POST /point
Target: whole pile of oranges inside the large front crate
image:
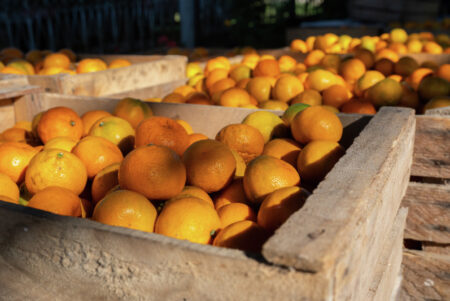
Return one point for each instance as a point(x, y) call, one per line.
point(154, 174)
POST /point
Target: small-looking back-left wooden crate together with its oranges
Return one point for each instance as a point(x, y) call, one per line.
point(92, 75)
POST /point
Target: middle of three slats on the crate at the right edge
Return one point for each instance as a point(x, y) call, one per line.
point(429, 212)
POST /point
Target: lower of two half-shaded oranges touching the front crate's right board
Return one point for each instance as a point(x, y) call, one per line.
point(279, 205)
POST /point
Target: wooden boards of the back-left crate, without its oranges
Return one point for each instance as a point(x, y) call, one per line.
point(146, 71)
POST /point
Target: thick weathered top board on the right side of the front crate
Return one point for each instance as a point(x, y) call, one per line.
point(345, 221)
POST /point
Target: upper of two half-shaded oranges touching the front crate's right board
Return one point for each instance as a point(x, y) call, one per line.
point(317, 158)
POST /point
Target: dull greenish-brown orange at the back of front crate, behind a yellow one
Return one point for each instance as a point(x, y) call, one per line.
point(132, 110)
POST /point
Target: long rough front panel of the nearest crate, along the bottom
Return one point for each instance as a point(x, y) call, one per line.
point(92, 261)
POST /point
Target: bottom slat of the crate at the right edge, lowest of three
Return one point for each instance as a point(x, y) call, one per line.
point(425, 276)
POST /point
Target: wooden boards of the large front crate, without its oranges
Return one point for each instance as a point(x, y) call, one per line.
point(343, 244)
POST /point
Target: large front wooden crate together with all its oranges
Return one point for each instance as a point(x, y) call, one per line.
point(120, 198)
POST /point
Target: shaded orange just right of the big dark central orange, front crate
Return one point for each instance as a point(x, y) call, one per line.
point(210, 165)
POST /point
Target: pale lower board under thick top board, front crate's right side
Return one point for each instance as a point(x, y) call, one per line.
point(387, 277)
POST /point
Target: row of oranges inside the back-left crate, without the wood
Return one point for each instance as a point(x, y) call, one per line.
point(13, 61)
